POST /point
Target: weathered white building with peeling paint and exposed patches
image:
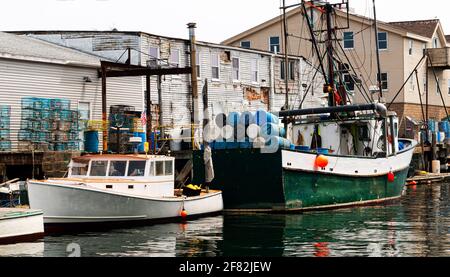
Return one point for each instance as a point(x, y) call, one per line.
point(238, 79)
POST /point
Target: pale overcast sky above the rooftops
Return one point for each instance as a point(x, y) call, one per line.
point(216, 19)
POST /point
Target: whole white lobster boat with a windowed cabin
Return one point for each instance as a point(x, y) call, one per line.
point(118, 188)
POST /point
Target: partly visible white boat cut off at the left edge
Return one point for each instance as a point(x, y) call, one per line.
point(20, 225)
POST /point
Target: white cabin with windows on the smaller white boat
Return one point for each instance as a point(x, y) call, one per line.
point(138, 175)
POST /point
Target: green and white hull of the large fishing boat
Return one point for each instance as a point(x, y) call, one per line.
point(288, 181)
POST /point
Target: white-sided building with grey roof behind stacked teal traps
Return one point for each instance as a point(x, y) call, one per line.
point(34, 68)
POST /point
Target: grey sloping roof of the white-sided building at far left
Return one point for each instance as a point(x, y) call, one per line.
point(32, 49)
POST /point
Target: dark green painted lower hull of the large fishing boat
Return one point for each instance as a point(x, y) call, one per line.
point(253, 180)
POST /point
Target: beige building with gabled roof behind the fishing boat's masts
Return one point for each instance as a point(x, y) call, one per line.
point(401, 44)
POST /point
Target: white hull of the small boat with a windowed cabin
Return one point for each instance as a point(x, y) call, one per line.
point(68, 204)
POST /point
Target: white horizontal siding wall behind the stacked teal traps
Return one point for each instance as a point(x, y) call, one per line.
point(20, 79)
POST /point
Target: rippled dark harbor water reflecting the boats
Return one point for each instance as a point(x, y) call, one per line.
point(416, 226)
